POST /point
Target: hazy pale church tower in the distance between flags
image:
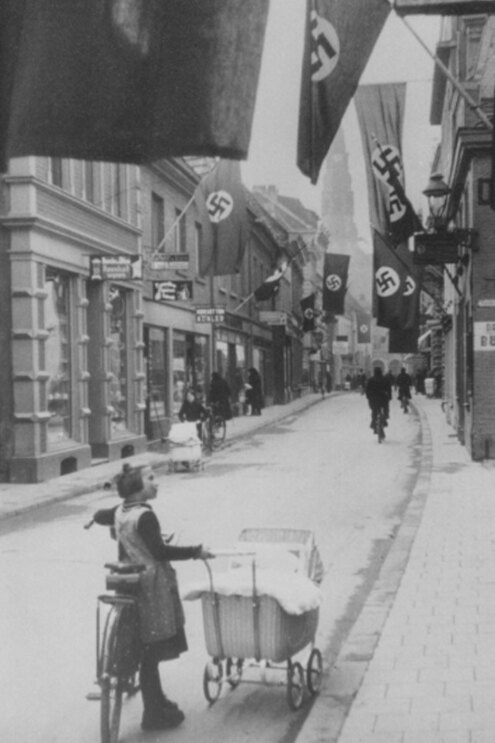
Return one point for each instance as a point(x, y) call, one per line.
point(337, 210)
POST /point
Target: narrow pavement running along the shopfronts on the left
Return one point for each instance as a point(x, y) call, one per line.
point(19, 498)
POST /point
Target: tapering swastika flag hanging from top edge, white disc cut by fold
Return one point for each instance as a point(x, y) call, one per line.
point(340, 36)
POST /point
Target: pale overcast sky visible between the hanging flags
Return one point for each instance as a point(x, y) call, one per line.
point(397, 57)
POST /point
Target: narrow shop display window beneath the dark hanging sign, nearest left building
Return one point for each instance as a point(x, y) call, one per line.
point(118, 359)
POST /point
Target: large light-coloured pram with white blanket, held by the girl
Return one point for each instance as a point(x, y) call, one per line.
point(248, 622)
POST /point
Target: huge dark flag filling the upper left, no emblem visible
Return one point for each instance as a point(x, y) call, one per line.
point(128, 80)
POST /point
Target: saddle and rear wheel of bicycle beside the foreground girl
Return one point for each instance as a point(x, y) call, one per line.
point(118, 648)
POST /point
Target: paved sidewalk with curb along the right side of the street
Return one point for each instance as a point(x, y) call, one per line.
point(419, 664)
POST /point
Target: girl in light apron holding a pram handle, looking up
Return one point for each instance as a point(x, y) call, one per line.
point(161, 617)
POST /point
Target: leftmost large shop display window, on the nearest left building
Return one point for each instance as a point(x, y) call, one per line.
point(58, 357)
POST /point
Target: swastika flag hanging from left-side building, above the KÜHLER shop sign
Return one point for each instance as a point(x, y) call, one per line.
point(221, 202)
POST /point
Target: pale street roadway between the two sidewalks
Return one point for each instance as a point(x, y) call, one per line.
point(321, 470)
